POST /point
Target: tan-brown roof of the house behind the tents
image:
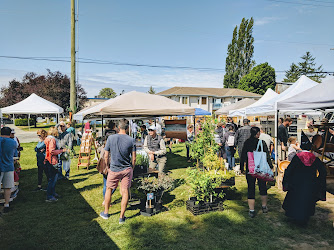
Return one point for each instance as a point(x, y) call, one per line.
point(215, 92)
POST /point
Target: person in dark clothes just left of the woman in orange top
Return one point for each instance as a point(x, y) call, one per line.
point(40, 155)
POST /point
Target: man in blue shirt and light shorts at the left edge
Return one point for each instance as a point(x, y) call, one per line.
point(8, 152)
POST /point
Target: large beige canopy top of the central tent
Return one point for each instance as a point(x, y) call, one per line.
point(138, 104)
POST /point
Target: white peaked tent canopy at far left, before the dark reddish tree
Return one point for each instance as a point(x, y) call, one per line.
point(33, 104)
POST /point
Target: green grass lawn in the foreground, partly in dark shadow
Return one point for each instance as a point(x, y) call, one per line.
point(73, 221)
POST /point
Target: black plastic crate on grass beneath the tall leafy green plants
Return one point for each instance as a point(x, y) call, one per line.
point(198, 208)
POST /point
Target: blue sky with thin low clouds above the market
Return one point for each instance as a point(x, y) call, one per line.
point(188, 33)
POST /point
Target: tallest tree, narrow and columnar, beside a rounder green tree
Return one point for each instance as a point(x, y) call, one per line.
point(239, 54)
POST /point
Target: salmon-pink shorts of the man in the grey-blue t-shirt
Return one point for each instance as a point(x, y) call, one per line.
point(114, 177)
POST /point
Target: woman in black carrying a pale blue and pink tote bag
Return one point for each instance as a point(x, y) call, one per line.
point(250, 145)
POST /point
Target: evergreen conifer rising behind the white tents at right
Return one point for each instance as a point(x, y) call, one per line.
point(306, 67)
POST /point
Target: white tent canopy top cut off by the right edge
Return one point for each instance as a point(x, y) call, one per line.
point(319, 97)
